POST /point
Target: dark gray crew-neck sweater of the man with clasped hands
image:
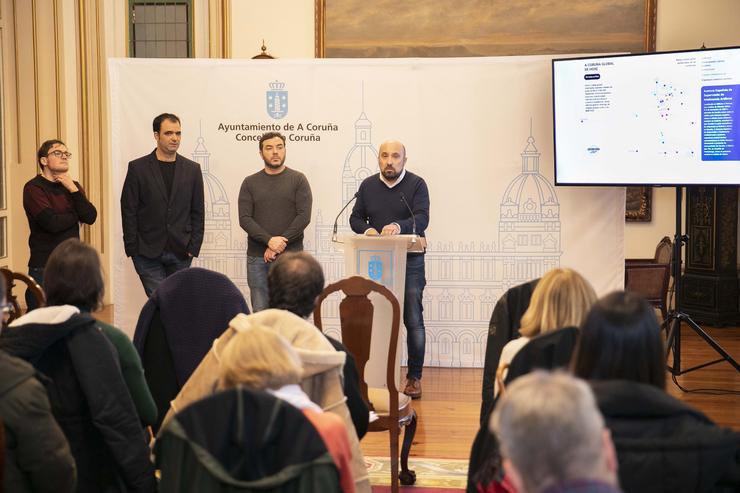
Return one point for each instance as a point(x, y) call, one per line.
point(274, 205)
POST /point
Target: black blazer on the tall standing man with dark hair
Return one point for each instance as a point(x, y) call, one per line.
point(153, 221)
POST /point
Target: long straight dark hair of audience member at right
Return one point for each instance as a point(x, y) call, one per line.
point(620, 339)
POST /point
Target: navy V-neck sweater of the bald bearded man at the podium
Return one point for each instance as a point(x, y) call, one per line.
point(378, 205)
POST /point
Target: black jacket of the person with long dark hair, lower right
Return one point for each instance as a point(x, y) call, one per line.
point(663, 445)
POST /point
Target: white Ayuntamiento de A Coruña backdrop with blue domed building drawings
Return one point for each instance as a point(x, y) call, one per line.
point(479, 130)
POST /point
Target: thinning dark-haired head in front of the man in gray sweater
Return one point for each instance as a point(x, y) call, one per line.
point(294, 282)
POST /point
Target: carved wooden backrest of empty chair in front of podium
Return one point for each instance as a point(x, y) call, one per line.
point(356, 320)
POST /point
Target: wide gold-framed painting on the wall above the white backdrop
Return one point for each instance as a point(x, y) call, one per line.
point(440, 28)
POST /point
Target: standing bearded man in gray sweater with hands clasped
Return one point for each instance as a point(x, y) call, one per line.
point(274, 209)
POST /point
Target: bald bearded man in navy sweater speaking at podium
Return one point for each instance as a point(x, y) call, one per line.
point(396, 201)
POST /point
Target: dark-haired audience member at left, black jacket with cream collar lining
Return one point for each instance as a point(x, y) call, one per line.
point(88, 395)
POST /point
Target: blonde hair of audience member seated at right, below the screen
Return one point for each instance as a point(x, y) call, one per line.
point(561, 299)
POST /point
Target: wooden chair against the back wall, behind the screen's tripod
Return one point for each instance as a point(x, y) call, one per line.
point(651, 277)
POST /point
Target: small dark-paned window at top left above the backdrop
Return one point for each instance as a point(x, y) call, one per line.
point(160, 28)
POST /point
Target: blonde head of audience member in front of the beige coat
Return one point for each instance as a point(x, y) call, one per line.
point(259, 359)
